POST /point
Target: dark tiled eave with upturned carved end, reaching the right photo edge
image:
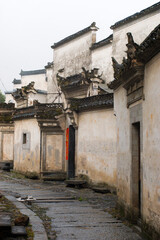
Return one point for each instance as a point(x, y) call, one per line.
point(137, 57)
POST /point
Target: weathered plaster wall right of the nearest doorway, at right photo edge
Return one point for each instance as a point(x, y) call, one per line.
point(151, 143)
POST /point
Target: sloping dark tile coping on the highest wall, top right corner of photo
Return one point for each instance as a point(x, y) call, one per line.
point(137, 15)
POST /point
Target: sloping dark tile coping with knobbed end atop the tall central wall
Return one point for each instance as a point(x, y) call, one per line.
point(75, 35)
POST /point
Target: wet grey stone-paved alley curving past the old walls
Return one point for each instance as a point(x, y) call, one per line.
point(74, 214)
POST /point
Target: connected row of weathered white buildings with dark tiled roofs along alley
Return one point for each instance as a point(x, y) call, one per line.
point(100, 122)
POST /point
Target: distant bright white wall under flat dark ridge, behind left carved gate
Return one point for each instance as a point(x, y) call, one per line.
point(39, 79)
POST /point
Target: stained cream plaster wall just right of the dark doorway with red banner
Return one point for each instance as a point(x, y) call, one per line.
point(96, 146)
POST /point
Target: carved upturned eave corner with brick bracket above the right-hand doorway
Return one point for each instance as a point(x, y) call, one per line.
point(130, 73)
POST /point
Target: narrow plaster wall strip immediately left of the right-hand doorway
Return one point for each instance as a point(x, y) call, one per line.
point(123, 144)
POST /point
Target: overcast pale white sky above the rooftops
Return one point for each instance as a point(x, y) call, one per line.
point(29, 27)
